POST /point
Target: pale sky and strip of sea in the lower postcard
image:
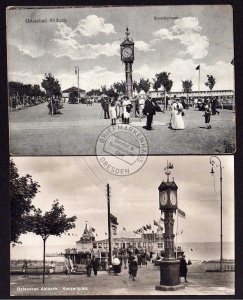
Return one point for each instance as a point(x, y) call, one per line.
point(79, 183)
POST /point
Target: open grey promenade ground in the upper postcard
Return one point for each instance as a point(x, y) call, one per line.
point(76, 130)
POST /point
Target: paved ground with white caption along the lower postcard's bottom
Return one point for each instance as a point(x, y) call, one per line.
point(106, 284)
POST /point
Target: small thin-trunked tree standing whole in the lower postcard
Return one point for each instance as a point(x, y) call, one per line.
point(53, 222)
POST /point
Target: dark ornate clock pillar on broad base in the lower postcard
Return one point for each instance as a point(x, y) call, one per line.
point(169, 266)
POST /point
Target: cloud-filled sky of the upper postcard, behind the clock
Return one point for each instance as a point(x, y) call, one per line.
point(174, 39)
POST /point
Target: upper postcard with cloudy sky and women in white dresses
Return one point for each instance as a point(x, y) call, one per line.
point(121, 81)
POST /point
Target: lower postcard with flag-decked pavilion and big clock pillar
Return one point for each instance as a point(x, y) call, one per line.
point(78, 229)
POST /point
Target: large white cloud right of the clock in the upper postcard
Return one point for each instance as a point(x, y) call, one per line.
point(186, 31)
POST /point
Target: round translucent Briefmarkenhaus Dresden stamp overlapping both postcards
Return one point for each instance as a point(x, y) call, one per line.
point(121, 149)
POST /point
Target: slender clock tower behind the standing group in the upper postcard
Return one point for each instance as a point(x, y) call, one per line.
point(127, 56)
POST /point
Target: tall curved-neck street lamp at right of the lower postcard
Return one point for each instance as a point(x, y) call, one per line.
point(212, 162)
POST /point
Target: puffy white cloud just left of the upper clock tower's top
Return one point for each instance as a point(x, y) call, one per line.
point(92, 25)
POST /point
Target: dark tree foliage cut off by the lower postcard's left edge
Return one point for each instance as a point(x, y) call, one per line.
point(22, 191)
